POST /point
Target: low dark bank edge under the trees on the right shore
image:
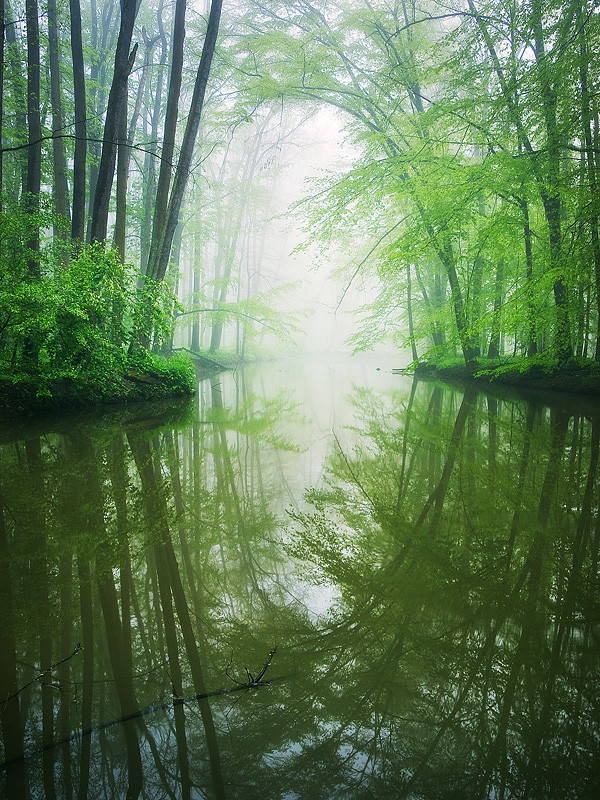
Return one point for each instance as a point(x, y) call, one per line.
point(579, 377)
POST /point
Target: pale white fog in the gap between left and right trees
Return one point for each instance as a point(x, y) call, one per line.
point(313, 286)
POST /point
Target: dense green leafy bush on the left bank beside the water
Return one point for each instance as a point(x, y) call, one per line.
point(78, 319)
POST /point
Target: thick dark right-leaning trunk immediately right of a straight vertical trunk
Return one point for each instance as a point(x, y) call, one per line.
point(117, 103)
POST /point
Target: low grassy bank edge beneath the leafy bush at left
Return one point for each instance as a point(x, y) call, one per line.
point(30, 394)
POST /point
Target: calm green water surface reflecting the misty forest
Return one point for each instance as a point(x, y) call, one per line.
point(311, 581)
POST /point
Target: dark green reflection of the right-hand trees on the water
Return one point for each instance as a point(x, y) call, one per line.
point(459, 637)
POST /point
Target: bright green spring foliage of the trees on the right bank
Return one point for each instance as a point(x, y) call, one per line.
point(465, 133)
